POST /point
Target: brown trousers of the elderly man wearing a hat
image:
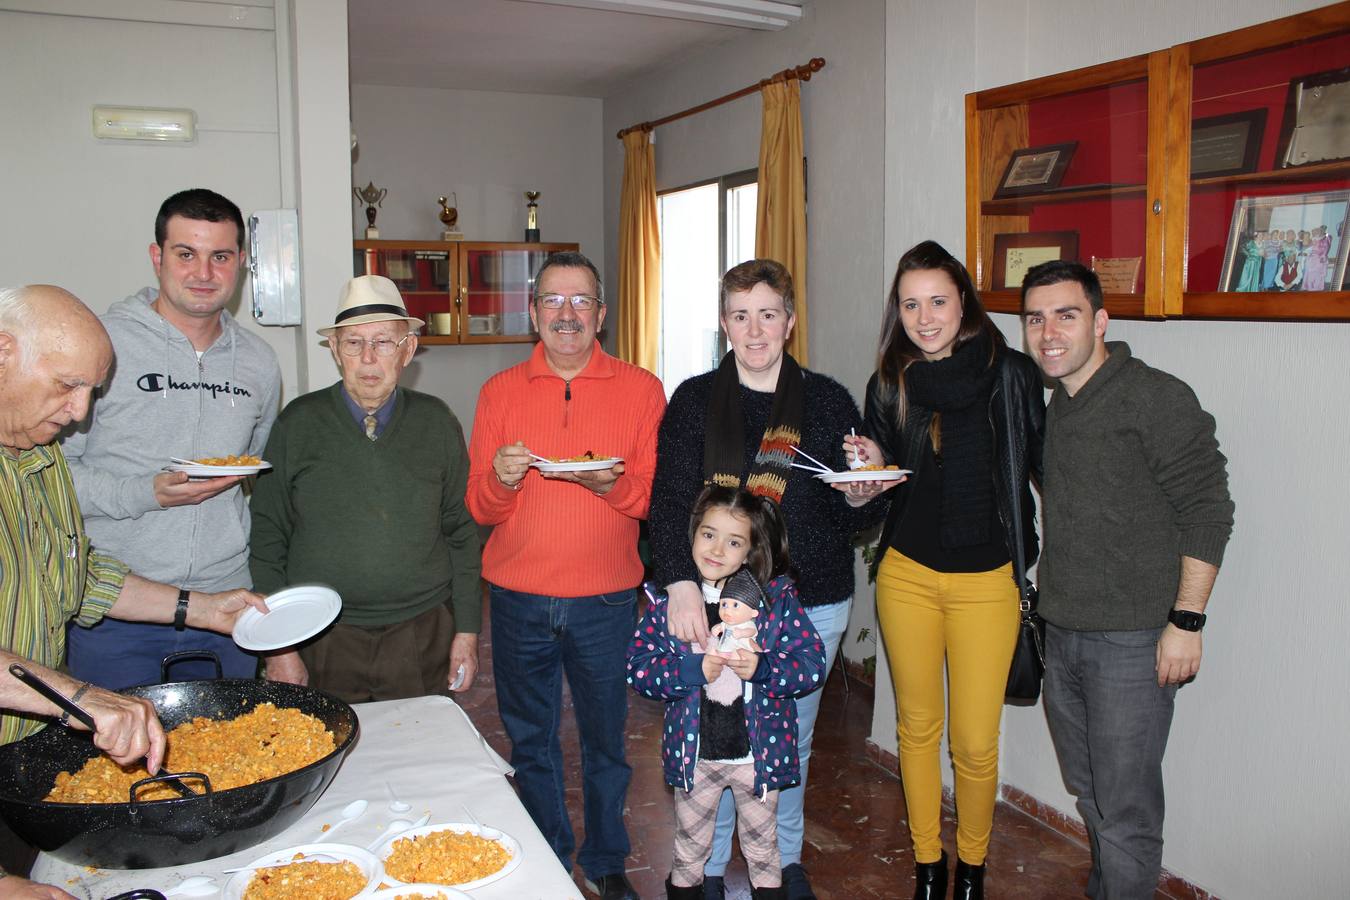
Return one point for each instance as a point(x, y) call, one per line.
point(387, 663)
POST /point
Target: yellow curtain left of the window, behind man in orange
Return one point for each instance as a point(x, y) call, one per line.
point(639, 256)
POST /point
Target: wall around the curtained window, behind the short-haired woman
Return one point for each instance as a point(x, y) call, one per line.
point(842, 118)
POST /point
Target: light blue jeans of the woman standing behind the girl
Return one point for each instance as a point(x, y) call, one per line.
point(831, 623)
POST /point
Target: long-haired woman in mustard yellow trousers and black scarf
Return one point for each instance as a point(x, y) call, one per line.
point(946, 590)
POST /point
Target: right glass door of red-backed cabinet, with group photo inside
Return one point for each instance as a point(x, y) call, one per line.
point(1268, 200)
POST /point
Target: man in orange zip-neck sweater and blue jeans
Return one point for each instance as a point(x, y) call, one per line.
point(562, 559)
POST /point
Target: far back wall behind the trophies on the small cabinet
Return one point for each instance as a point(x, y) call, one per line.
point(487, 148)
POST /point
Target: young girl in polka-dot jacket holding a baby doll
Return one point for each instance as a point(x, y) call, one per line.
point(731, 720)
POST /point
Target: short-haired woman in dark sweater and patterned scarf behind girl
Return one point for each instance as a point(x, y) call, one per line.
point(738, 427)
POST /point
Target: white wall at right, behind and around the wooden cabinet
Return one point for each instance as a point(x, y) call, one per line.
point(1256, 805)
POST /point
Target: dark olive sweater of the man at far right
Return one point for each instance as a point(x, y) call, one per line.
point(1133, 482)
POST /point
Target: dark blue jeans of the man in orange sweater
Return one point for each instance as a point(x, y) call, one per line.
point(537, 642)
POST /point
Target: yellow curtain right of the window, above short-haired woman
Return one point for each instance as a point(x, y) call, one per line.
point(781, 219)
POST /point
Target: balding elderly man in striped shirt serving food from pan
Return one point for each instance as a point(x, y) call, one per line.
point(53, 354)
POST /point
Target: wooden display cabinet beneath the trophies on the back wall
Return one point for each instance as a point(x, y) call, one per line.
point(466, 292)
